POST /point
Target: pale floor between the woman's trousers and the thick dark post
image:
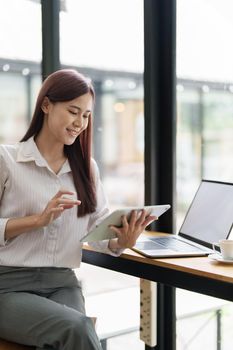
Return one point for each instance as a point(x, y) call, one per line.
point(114, 299)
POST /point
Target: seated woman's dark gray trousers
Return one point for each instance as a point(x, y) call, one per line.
point(44, 307)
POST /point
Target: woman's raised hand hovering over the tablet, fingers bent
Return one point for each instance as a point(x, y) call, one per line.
point(56, 206)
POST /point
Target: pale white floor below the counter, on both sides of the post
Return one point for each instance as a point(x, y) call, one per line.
point(114, 299)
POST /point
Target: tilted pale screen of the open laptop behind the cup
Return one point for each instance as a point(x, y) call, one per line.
point(210, 216)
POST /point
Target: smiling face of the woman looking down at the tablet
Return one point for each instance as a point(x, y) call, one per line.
point(65, 121)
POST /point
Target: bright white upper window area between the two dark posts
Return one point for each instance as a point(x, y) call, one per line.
point(103, 34)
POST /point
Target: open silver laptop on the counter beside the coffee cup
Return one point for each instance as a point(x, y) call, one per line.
point(208, 219)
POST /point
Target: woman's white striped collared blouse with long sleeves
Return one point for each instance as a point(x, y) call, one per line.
point(26, 185)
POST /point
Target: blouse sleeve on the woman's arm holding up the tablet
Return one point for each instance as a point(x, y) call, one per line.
point(101, 212)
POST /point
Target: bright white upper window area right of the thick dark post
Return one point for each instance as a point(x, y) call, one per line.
point(204, 30)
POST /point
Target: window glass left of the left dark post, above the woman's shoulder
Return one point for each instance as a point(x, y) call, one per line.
point(20, 54)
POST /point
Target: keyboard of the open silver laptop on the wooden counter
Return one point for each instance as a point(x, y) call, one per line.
point(174, 244)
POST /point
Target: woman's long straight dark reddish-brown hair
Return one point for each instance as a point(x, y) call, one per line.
point(66, 85)
